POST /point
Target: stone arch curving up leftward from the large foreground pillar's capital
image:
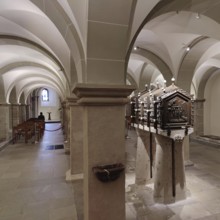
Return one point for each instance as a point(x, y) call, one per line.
point(71, 33)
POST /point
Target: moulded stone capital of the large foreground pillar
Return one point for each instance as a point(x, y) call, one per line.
point(96, 94)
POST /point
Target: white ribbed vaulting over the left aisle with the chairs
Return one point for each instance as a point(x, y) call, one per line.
point(31, 41)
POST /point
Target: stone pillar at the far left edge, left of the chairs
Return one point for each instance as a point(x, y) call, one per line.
point(5, 122)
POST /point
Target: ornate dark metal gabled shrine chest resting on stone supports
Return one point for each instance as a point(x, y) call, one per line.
point(164, 108)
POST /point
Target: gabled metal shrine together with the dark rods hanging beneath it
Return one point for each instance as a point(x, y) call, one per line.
point(167, 112)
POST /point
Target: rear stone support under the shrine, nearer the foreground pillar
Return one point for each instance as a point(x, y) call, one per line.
point(143, 170)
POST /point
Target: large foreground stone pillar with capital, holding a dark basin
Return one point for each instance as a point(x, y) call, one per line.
point(103, 110)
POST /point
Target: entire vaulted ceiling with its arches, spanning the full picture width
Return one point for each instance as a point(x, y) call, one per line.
point(47, 43)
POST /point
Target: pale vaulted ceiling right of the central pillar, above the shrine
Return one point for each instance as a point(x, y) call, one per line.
point(169, 31)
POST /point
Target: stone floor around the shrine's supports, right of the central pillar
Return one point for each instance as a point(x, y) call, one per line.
point(202, 181)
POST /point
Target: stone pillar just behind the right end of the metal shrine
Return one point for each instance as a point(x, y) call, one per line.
point(198, 112)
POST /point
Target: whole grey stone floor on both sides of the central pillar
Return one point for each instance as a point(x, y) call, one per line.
point(33, 186)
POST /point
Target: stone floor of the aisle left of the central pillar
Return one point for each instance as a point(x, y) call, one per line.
point(32, 180)
